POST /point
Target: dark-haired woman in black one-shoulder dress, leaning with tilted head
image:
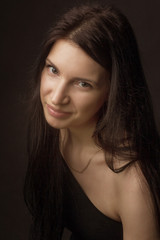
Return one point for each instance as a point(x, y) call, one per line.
point(93, 144)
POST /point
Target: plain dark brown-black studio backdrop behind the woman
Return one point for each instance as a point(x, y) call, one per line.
point(24, 24)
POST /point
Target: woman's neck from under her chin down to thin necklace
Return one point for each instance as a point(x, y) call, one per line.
point(78, 147)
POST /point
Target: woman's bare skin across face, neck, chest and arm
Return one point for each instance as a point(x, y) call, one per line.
point(73, 89)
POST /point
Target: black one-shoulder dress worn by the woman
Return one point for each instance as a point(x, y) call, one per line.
point(82, 218)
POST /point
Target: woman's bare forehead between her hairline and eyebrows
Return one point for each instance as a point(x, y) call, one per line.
point(68, 56)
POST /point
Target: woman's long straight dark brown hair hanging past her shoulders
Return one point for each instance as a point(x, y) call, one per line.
point(126, 123)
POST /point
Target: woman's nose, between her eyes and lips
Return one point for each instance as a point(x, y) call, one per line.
point(60, 95)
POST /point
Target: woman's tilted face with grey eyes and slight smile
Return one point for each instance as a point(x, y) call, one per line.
point(73, 87)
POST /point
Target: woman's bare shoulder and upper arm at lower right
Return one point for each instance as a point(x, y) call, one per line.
point(135, 206)
